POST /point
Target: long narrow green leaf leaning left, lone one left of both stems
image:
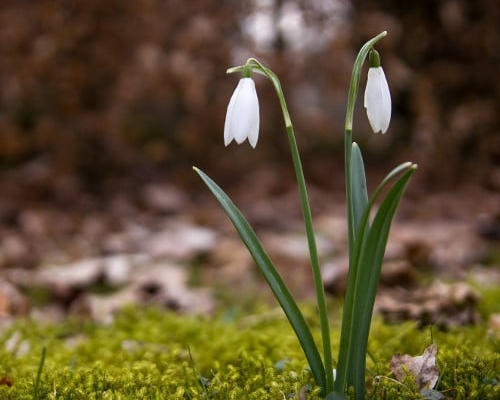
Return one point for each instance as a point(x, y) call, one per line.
point(273, 279)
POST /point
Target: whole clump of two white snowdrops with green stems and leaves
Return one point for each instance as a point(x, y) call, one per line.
point(367, 230)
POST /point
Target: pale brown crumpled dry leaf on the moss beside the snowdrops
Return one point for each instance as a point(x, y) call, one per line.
point(422, 368)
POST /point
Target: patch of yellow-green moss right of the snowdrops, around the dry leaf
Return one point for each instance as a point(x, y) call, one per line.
point(468, 359)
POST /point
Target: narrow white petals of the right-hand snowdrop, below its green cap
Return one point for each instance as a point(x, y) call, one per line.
point(378, 100)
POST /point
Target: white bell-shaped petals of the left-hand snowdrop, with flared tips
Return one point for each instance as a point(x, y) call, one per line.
point(242, 117)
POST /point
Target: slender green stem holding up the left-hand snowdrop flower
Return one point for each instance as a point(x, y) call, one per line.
point(307, 216)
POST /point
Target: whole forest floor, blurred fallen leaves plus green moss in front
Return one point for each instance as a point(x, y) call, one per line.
point(68, 255)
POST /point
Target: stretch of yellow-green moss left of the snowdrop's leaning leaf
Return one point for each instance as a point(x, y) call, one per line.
point(149, 354)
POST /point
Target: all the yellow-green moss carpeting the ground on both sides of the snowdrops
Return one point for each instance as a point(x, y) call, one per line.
point(152, 354)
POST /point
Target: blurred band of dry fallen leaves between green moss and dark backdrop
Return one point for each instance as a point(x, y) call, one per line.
point(65, 251)
